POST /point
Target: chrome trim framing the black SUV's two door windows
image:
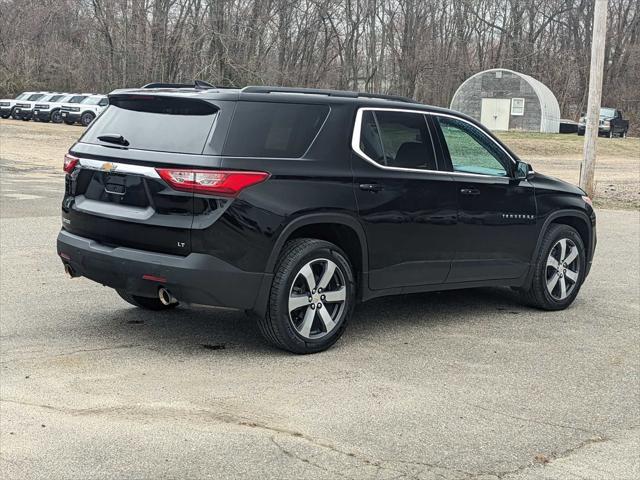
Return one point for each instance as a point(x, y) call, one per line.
point(355, 142)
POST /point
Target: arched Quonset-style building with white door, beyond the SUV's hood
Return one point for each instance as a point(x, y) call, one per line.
point(502, 99)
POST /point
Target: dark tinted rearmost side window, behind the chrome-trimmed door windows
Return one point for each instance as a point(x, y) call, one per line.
point(282, 130)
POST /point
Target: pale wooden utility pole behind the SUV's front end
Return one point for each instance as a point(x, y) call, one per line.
point(587, 169)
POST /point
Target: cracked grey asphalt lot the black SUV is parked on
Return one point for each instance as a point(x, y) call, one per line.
point(454, 385)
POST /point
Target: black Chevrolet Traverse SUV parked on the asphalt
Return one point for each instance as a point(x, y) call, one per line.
point(296, 204)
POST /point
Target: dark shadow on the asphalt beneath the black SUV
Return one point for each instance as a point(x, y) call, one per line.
point(207, 330)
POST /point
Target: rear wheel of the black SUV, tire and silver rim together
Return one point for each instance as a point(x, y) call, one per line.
point(312, 297)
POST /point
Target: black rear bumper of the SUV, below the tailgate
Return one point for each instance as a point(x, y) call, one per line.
point(196, 278)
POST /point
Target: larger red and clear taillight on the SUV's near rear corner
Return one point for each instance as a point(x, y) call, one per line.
point(211, 182)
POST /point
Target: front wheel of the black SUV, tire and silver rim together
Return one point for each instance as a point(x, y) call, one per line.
point(559, 269)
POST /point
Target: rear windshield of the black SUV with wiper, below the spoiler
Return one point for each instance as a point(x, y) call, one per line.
point(156, 123)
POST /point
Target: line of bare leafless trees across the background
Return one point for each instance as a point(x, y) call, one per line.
point(418, 48)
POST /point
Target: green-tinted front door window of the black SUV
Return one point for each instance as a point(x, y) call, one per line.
point(469, 150)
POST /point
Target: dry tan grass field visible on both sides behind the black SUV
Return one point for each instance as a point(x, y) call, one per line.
point(41, 146)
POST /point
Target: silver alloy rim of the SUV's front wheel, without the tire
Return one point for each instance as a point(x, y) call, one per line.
point(563, 269)
